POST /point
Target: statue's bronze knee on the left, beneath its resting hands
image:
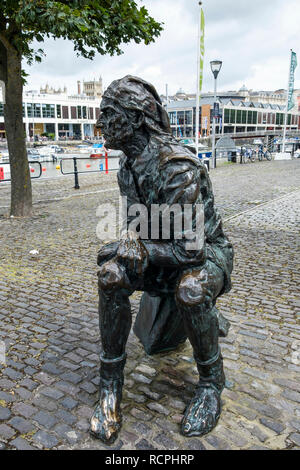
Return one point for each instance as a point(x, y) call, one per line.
point(112, 276)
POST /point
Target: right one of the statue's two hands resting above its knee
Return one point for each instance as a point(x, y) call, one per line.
point(132, 254)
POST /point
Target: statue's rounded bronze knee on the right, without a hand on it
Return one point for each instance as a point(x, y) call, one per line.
point(191, 292)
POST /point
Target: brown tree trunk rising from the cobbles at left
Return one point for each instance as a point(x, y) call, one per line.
point(21, 195)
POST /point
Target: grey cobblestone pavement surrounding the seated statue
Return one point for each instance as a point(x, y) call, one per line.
point(48, 320)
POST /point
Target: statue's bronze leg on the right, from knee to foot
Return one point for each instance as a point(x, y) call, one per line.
point(195, 296)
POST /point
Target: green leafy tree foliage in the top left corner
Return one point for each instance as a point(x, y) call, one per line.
point(93, 25)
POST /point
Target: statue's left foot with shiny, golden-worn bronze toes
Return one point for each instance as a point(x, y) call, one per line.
point(107, 419)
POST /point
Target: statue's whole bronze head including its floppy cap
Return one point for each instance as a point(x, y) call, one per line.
point(127, 105)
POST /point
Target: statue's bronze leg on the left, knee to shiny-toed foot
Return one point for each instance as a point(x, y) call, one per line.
point(115, 323)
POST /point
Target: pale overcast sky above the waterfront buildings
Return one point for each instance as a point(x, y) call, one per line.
point(253, 38)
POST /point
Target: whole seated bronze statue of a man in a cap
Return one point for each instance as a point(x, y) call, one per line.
point(180, 285)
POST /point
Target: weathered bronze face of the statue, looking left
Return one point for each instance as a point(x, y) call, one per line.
point(114, 124)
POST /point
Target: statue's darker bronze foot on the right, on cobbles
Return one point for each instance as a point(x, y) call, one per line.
point(203, 412)
